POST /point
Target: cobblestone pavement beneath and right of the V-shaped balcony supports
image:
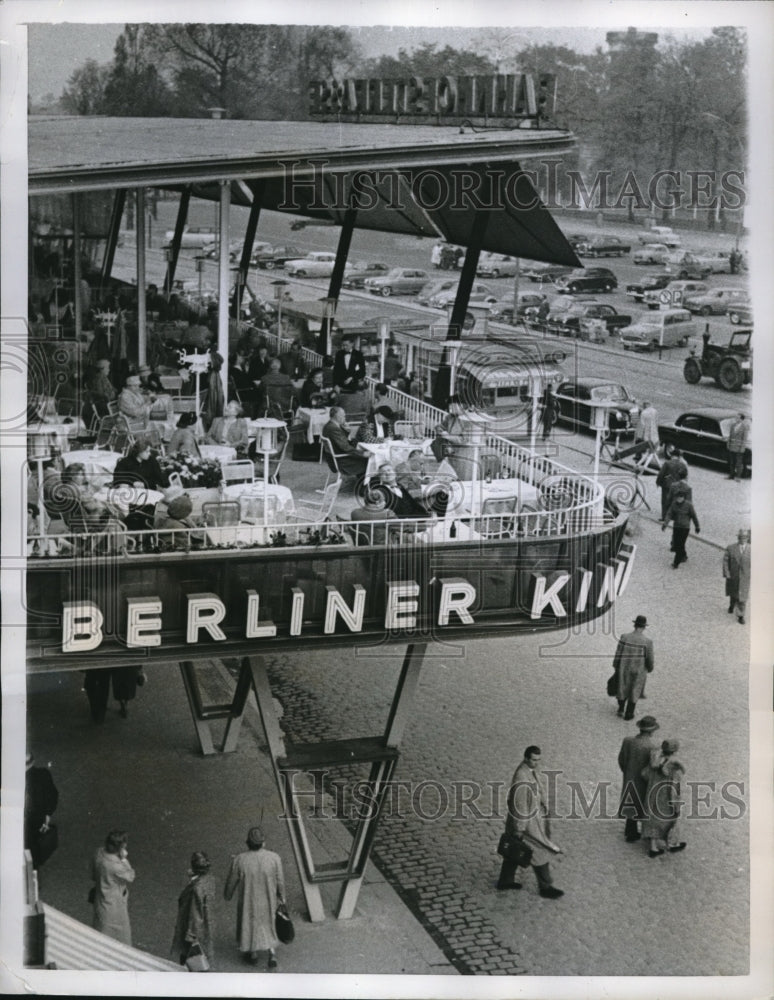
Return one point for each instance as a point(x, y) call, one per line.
point(474, 713)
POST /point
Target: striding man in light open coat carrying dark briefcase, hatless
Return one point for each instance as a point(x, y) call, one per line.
point(528, 820)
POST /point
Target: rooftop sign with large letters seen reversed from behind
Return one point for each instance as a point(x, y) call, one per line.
point(444, 98)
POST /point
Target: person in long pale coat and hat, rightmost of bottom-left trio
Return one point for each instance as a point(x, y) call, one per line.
point(257, 874)
